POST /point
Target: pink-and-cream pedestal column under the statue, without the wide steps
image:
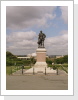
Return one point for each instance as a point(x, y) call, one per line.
point(41, 58)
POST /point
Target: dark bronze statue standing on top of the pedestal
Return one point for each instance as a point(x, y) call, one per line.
point(41, 38)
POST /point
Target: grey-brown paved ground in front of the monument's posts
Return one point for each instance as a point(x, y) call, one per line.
point(37, 82)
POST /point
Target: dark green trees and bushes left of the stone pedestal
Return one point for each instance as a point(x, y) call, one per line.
point(12, 60)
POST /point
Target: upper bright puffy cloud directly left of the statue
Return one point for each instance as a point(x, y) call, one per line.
point(21, 36)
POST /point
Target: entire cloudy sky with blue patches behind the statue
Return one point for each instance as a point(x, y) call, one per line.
point(23, 25)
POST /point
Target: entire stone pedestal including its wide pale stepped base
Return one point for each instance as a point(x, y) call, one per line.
point(40, 65)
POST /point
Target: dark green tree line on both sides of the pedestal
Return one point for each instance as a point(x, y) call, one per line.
point(11, 59)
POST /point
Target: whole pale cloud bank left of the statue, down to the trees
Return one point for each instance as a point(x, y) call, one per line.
point(21, 41)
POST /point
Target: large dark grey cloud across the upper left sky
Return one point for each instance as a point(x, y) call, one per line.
point(23, 17)
